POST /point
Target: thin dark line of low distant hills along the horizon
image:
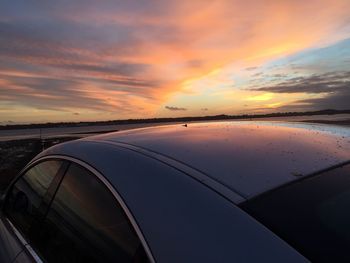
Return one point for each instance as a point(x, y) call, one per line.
point(178, 119)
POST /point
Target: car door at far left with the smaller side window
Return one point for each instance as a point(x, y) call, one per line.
point(24, 207)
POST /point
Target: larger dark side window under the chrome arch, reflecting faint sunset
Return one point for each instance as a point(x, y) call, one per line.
point(85, 223)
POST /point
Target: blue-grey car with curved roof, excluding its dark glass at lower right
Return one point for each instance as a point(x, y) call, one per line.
point(183, 193)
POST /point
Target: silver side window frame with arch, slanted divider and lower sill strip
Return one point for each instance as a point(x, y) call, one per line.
point(68, 160)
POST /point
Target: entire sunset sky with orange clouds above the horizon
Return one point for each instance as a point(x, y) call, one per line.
point(88, 60)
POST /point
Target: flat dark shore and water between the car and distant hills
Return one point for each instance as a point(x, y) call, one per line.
point(18, 147)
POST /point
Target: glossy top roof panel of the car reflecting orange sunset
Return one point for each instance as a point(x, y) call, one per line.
point(249, 157)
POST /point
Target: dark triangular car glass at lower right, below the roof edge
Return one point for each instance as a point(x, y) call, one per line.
point(312, 215)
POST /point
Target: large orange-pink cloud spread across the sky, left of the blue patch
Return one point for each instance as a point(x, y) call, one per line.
point(127, 58)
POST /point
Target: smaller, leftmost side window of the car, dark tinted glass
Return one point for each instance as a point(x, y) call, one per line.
point(24, 199)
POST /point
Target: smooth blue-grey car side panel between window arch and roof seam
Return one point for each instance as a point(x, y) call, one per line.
point(159, 195)
